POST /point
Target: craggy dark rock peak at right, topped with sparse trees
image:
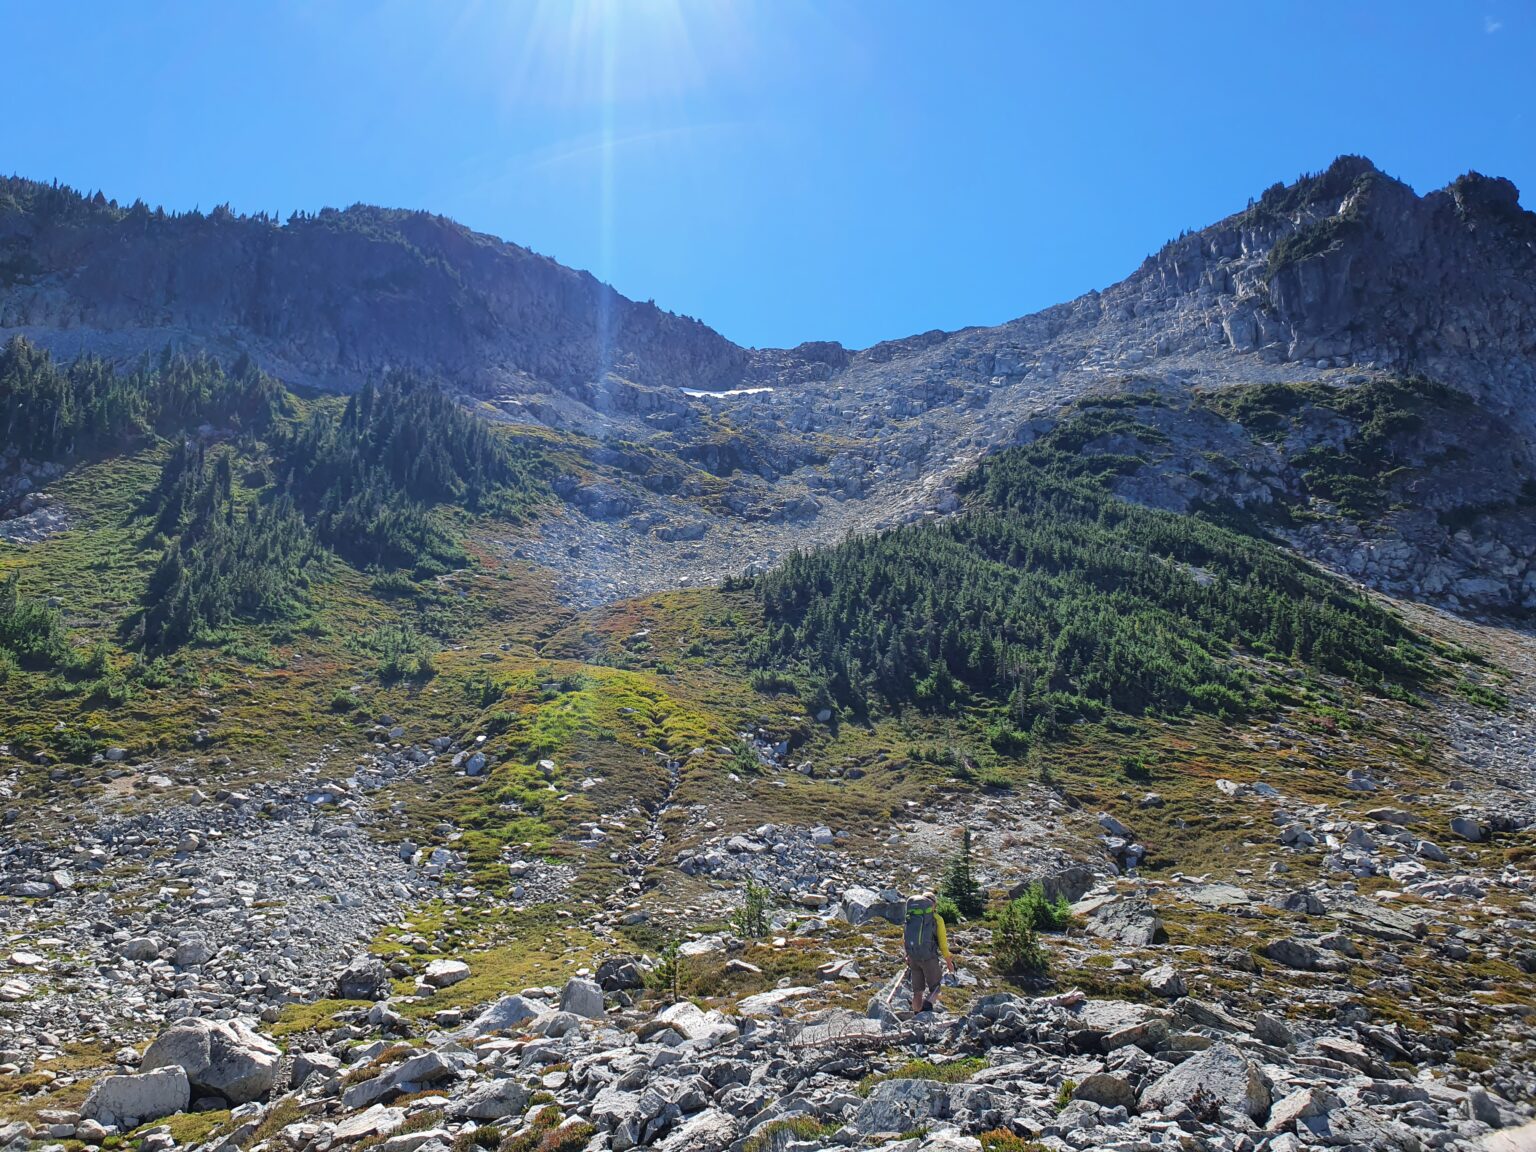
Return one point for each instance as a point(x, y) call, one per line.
point(1352, 268)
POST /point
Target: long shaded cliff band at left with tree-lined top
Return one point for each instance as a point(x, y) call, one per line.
point(333, 299)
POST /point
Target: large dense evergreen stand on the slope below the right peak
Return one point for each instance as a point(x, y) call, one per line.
point(1056, 598)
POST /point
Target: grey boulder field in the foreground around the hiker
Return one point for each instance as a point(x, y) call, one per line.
point(176, 936)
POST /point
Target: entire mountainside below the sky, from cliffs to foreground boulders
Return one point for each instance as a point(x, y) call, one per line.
point(299, 724)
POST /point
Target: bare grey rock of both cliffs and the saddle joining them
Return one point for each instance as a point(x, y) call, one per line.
point(1342, 279)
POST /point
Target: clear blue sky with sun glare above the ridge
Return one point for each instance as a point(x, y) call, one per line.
point(781, 170)
